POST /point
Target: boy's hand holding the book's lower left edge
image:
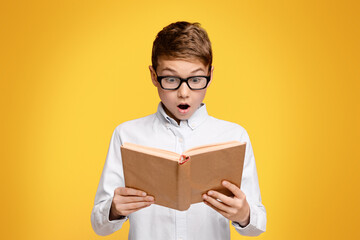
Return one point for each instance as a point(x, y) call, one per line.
point(128, 200)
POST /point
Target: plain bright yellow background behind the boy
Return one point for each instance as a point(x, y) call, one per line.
point(287, 71)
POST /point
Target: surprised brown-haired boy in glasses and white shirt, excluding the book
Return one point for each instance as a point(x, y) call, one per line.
point(181, 71)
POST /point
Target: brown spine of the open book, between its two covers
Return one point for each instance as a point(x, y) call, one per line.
point(184, 186)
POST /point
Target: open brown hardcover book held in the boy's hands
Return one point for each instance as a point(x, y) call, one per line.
point(177, 181)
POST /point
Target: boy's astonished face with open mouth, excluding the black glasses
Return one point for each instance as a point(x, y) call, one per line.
point(180, 104)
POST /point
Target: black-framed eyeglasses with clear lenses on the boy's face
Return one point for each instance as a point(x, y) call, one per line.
point(193, 82)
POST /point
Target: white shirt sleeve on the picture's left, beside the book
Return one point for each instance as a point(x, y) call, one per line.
point(111, 178)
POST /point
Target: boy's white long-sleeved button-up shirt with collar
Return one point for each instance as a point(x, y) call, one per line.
point(157, 222)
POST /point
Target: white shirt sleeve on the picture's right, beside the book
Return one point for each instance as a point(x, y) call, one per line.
point(251, 189)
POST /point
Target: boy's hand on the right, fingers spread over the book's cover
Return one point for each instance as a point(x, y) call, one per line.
point(235, 209)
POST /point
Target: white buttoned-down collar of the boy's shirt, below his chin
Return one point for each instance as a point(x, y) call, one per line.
point(194, 121)
